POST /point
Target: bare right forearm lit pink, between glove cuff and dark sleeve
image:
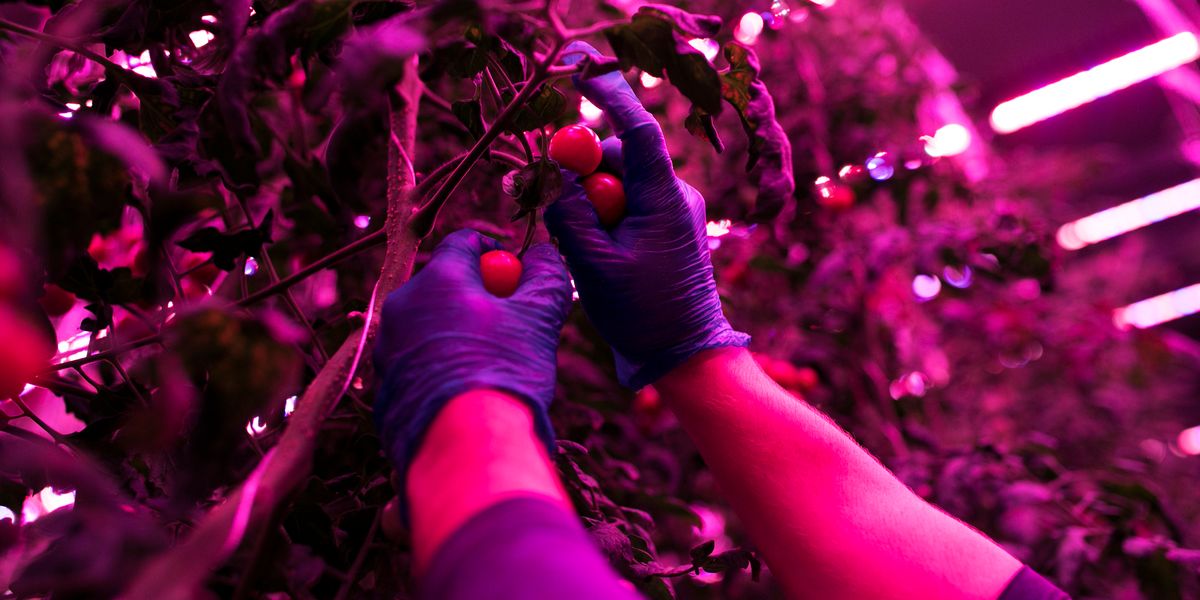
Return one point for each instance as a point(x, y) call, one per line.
point(831, 521)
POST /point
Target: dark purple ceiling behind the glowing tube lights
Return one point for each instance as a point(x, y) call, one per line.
point(1005, 50)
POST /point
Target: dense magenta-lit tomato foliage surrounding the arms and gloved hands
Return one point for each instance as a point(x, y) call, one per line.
point(158, 190)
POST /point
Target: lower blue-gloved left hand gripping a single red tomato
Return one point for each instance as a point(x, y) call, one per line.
point(442, 335)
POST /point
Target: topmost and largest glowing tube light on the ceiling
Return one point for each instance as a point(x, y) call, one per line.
point(1097, 82)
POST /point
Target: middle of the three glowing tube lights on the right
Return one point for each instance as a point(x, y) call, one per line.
point(1130, 217)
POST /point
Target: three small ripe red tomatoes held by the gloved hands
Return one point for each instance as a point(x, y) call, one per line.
point(575, 148)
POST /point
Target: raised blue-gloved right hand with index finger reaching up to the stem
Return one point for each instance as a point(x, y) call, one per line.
point(647, 285)
